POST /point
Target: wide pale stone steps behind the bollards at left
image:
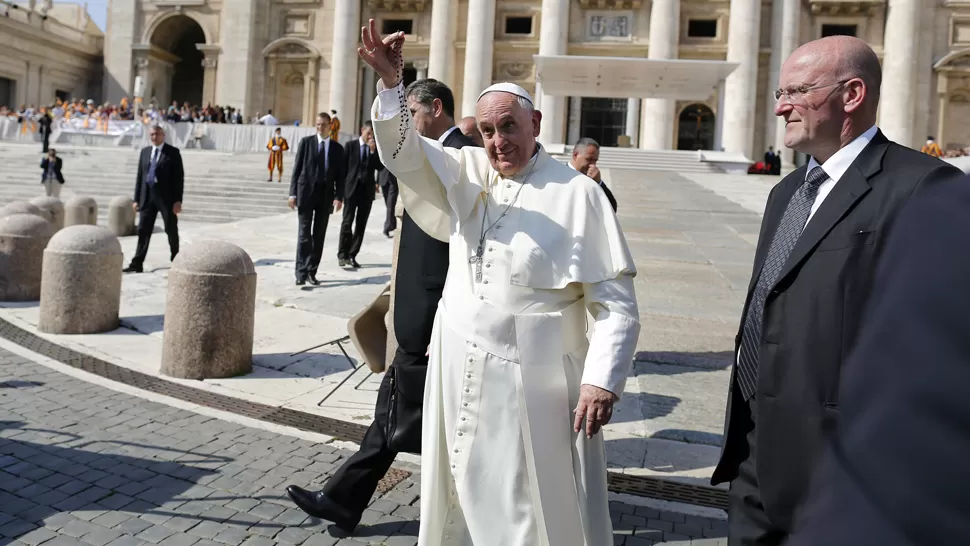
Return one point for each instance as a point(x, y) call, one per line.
point(219, 187)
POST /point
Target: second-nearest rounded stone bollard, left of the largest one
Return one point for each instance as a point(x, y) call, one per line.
point(80, 289)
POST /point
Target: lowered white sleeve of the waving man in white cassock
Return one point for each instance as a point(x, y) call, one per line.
point(613, 305)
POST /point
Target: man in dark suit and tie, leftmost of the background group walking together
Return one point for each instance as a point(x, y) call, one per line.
point(316, 190)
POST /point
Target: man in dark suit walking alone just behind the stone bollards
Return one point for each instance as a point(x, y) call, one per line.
point(158, 190)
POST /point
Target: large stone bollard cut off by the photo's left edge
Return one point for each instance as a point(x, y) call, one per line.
point(23, 238)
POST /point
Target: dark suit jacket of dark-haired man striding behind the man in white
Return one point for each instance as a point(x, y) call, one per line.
point(422, 266)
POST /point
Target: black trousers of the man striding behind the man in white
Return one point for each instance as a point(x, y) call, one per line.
point(354, 483)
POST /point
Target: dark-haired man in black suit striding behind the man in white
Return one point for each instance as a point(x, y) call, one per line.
point(419, 279)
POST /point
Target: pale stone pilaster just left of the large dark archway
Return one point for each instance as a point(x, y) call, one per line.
point(119, 68)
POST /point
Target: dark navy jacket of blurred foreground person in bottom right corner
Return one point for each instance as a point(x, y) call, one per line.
point(895, 474)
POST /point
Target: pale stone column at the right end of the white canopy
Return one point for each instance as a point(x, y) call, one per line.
point(741, 87)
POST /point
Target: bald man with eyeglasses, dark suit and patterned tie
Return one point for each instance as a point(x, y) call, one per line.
point(821, 239)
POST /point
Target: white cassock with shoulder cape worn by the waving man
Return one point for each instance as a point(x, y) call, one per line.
point(501, 465)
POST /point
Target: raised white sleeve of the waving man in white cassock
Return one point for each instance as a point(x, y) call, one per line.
point(426, 171)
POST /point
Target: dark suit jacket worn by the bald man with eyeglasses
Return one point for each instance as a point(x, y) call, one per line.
point(813, 314)
